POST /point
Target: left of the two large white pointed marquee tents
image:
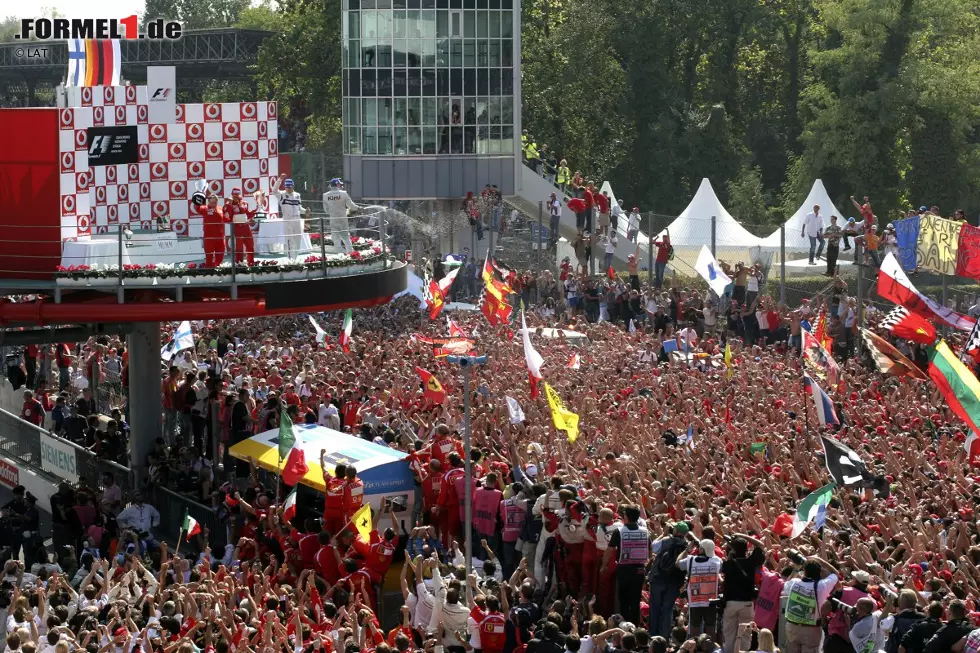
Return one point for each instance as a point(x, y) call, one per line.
point(692, 228)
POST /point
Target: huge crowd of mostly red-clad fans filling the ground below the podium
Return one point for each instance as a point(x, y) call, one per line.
point(659, 528)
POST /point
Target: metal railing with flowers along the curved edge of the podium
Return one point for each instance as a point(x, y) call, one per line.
point(164, 254)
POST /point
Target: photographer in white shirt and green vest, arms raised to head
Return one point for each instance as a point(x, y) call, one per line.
point(803, 598)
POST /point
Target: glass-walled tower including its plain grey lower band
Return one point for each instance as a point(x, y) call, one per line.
point(431, 96)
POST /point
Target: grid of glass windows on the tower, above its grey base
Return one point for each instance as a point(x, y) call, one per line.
point(428, 77)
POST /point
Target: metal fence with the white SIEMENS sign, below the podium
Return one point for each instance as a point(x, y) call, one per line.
point(27, 444)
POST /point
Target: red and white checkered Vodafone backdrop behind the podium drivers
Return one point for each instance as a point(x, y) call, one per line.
point(231, 145)
